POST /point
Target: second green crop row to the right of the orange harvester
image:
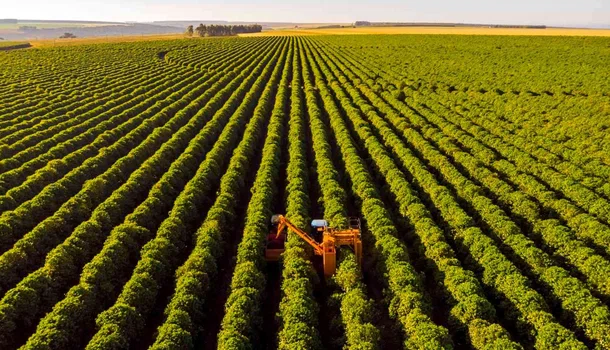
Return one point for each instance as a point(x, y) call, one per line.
point(480, 320)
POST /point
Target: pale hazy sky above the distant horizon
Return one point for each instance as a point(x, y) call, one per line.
point(550, 12)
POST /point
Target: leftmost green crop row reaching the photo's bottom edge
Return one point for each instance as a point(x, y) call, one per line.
point(103, 277)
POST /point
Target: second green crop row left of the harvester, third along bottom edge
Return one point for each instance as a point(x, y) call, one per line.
point(193, 279)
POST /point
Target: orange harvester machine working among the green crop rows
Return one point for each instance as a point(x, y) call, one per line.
point(324, 239)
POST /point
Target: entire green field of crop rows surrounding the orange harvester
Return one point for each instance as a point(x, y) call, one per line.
point(138, 181)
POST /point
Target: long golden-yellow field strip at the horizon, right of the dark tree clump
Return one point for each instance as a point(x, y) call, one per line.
point(437, 30)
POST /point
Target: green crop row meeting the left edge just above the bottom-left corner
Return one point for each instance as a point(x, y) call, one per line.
point(64, 262)
